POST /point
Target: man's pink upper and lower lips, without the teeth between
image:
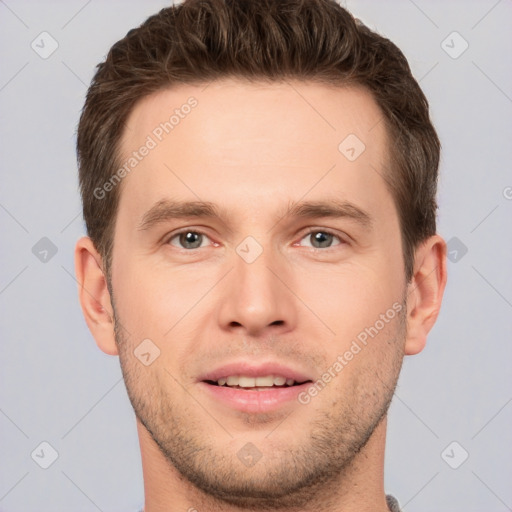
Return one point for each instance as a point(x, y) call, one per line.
point(251, 400)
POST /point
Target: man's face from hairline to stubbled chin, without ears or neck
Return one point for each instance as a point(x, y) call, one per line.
point(258, 250)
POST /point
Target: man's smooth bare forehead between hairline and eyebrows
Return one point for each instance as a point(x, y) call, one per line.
point(232, 139)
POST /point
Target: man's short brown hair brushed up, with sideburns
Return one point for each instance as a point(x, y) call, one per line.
point(312, 40)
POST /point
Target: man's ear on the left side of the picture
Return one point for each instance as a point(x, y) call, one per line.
point(94, 295)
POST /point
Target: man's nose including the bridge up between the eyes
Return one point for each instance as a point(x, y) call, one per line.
point(256, 297)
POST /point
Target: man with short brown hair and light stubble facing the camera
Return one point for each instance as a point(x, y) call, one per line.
point(258, 182)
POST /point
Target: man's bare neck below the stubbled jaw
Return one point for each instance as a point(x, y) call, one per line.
point(360, 488)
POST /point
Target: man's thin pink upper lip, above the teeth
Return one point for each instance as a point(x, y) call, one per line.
point(251, 369)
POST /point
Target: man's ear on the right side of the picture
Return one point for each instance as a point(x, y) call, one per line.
point(425, 292)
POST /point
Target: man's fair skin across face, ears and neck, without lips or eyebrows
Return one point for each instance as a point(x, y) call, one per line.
point(254, 150)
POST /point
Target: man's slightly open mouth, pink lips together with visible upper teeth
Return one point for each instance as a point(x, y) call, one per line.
point(254, 389)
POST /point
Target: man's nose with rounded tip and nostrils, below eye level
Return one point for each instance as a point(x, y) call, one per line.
point(257, 298)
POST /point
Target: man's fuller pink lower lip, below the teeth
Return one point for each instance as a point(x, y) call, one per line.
point(254, 401)
